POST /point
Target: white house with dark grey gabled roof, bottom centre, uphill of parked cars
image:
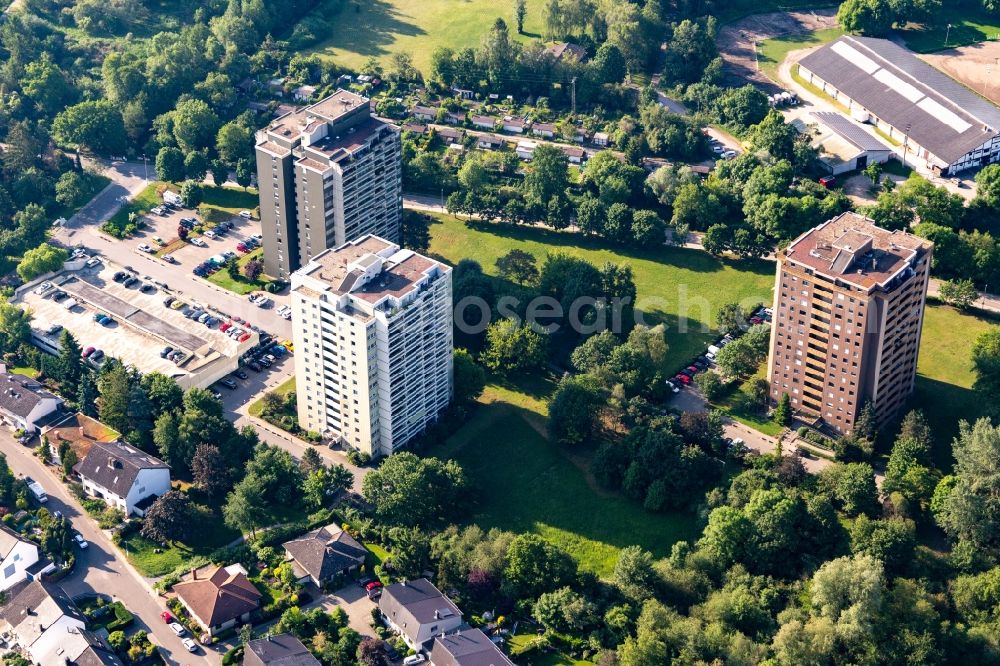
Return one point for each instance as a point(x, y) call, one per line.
point(418, 611)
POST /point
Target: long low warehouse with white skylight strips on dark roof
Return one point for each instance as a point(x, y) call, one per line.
point(941, 123)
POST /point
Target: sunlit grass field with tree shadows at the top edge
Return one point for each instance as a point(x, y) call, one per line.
point(380, 28)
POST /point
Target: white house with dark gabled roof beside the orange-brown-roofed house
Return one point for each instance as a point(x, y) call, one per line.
point(123, 476)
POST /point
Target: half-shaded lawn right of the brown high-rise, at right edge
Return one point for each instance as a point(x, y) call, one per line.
point(944, 373)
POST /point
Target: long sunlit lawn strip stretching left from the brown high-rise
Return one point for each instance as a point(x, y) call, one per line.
point(680, 287)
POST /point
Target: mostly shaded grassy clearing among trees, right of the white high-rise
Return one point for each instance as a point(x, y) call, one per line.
point(525, 483)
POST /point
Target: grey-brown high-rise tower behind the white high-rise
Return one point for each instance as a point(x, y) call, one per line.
point(328, 174)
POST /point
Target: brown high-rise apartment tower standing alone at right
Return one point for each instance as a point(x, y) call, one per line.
point(848, 309)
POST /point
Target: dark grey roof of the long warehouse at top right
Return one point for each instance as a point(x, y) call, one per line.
point(882, 100)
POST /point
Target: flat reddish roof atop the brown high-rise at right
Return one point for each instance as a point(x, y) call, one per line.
point(851, 249)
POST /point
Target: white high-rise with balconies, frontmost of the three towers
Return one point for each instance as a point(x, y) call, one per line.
point(373, 343)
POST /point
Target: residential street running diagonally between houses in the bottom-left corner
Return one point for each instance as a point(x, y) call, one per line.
point(98, 568)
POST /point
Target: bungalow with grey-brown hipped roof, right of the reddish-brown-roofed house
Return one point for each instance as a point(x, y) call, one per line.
point(324, 553)
